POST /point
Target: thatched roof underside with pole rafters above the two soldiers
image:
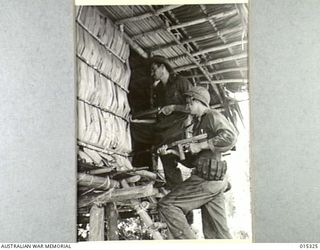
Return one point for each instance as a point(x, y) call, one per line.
point(206, 43)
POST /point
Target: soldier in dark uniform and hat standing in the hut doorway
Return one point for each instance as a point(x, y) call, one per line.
point(168, 94)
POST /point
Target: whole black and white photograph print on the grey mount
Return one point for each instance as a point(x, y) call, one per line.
point(163, 122)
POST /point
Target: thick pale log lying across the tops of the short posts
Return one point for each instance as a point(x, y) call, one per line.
point(114, 195)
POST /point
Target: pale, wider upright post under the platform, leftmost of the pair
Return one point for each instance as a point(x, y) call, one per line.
point(96, 223)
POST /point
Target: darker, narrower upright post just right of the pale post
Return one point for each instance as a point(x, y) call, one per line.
point(112, 221)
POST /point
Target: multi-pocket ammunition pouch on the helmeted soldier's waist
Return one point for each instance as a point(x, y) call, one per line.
point(211, 169)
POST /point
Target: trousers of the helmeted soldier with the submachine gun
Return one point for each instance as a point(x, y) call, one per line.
point(195, 193)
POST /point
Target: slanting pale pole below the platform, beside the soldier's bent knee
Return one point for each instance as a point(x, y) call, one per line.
point(143, 215)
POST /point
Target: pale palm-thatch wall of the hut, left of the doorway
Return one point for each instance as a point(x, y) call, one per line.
point(103, 74)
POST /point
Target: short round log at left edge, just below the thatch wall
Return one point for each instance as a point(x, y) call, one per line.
point(103, 183)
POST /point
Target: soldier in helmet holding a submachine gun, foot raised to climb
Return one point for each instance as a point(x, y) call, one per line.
point(205, 188)
